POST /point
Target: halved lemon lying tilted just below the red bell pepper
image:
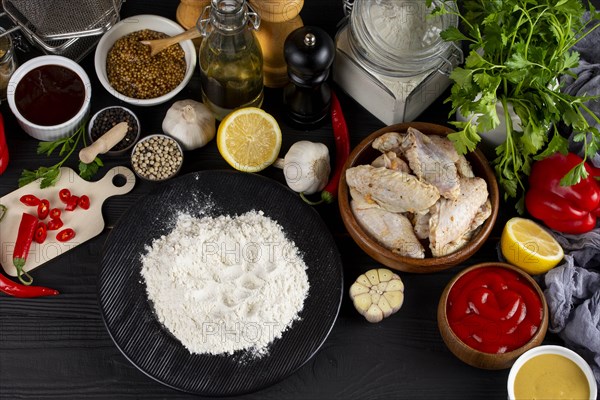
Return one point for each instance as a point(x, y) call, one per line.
point(530, 247)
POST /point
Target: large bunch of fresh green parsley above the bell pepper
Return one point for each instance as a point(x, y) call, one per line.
point(517, 52)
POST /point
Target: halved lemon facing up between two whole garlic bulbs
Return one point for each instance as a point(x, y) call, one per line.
point(249, 139)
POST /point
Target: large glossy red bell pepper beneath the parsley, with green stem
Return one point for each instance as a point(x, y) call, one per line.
point(568, 209)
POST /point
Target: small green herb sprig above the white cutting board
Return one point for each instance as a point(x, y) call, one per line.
point(50, 175)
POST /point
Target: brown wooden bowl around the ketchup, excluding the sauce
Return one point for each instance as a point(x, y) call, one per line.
point(478, 358)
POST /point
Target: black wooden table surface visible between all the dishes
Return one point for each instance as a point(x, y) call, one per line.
point(58, 348)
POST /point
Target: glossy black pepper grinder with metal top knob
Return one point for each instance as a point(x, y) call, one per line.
point(309, 53)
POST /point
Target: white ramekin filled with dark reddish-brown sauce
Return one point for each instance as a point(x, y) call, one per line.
point(50, 97)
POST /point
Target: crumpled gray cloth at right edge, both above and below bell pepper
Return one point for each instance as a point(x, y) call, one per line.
point(573, 288)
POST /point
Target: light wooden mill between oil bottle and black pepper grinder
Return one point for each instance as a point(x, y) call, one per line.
point(278, 19)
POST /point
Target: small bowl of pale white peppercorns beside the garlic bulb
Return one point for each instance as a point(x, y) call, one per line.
point(157, 158)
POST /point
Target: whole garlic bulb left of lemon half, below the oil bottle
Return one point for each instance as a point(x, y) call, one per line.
point(190, 123)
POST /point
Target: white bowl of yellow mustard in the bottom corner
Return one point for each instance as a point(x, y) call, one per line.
point(551, 372)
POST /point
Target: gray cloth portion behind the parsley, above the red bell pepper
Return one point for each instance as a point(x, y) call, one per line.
point(586, 82)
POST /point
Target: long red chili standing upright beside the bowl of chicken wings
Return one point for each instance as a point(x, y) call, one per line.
point(342, 151)
